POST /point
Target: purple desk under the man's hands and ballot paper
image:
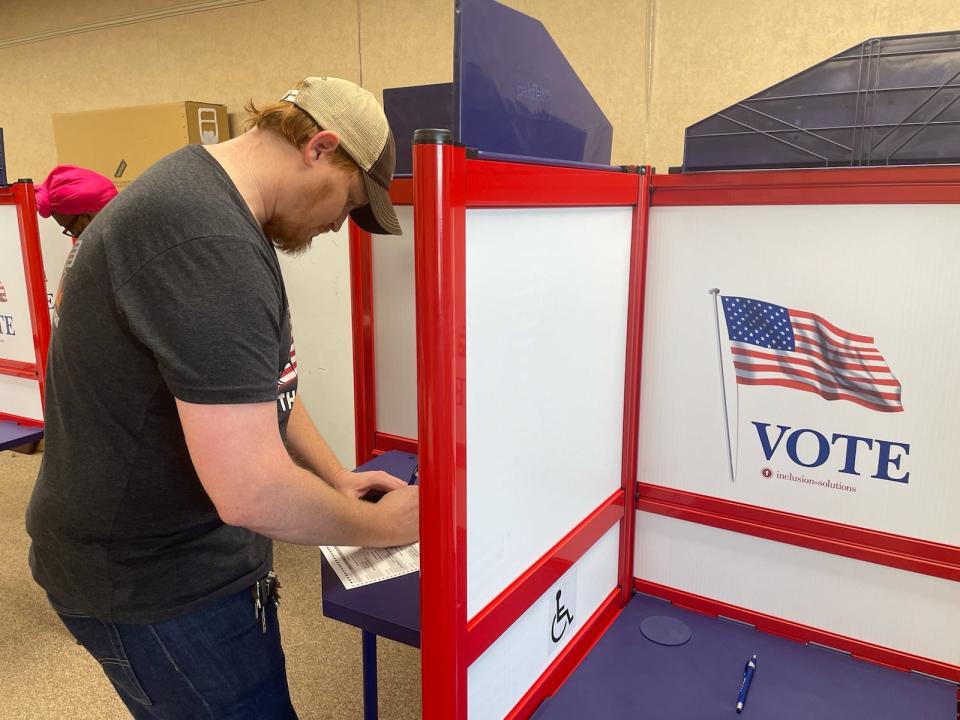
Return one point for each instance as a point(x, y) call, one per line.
point(390, 608)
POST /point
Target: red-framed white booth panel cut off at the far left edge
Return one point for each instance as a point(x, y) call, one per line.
point(24, 320)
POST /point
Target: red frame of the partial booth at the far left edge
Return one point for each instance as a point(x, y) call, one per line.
point(21, 195)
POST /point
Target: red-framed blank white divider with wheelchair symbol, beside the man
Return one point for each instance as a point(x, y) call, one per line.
point(512, 266)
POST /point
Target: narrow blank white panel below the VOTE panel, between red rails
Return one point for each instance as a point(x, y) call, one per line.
point(893, 608)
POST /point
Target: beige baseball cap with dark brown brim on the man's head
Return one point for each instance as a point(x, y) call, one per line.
point(354, 114)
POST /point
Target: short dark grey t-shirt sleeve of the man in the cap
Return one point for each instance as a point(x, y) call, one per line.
point(210, 310)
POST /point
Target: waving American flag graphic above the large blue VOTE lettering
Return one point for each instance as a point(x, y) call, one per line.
point(775, 345)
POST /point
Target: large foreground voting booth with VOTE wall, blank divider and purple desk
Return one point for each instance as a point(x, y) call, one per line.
point(781, 463)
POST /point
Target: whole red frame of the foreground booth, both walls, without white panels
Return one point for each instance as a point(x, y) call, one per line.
point(445, 184)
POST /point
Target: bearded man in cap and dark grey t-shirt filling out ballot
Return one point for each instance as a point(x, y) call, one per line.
point(172, 419)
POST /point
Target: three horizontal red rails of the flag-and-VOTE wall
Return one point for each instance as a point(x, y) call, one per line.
point(838, 186)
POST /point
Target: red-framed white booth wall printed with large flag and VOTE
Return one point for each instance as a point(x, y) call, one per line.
point(840, 525)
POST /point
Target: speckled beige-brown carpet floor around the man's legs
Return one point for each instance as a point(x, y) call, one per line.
point(45, 675)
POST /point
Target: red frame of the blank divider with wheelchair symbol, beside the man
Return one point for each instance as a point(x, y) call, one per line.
point(445, 184)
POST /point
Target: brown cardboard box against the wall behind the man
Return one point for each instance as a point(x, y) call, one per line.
point(121, 143)
